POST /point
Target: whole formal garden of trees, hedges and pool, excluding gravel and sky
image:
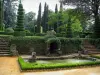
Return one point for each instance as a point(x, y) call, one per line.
point(66, 38)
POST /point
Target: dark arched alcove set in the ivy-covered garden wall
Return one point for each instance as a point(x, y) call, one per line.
point(53, 46)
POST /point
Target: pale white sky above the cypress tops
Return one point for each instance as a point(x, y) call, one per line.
point(33, 5)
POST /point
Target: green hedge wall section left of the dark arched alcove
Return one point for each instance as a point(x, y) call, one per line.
point(25, 43)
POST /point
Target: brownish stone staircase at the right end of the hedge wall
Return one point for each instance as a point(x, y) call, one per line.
point(91, 49)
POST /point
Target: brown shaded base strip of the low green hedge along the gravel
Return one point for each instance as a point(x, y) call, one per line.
point(55, 69)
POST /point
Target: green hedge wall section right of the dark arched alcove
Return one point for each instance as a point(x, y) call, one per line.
point(70, 45)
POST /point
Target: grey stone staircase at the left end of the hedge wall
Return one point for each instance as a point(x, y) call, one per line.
point(4, 46)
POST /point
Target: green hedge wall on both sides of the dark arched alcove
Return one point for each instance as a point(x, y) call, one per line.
point(39, 44)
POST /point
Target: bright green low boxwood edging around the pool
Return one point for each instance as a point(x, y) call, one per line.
point(36, 66)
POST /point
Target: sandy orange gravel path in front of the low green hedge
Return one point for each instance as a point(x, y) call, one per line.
point(9, 66)
